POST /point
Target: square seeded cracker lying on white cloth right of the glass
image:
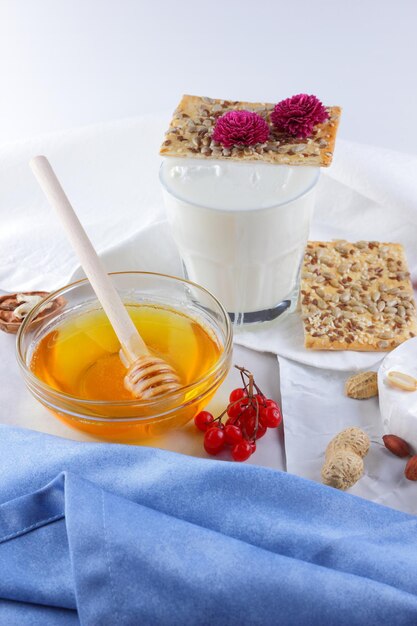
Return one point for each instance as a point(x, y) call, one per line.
point(356, 296)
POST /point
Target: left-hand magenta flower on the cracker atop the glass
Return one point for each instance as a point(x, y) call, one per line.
point(240, 128)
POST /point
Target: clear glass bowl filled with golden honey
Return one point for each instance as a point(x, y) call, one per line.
point(70, 357)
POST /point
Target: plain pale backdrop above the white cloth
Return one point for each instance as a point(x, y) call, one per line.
point(67, 63)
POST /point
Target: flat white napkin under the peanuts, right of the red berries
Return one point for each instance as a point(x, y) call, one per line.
point(315, 409)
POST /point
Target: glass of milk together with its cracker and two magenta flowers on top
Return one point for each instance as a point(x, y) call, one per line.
point(237, 199)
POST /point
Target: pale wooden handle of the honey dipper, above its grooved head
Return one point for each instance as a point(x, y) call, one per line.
point(132, 343)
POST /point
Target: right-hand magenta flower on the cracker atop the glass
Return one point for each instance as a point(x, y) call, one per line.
point(298, 115)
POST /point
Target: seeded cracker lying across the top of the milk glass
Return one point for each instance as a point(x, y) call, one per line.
point(190, 130)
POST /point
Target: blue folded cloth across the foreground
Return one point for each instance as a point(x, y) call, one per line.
point(113, 535)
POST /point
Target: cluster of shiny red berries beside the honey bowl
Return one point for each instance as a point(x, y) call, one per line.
point(249, 414)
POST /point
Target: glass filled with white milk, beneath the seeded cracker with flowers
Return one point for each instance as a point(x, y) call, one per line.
point(241, 230)
